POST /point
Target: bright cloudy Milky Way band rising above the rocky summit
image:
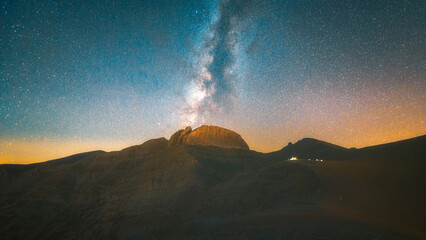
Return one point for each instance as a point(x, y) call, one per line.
point(213, 90)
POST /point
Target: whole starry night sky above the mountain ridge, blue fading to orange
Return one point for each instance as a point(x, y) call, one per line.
point(84, 75)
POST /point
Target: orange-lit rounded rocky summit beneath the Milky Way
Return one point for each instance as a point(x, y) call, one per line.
point(208, 136)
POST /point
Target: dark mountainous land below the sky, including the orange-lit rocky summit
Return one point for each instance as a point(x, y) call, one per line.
point(194, 187)
